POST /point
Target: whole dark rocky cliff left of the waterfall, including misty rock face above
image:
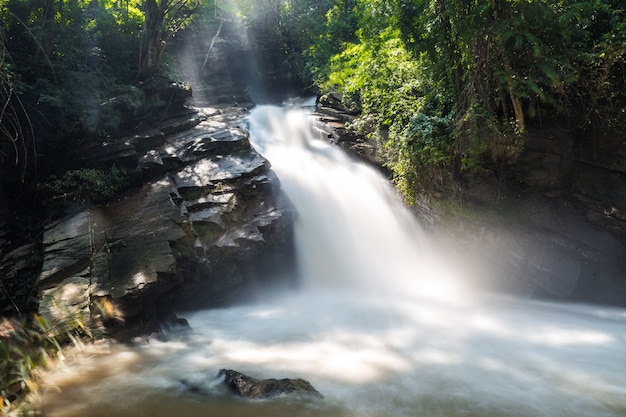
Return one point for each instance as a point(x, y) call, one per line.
point(203, 222)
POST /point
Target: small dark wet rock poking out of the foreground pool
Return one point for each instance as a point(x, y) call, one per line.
point(249, 387)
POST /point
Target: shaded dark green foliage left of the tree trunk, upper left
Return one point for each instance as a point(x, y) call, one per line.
point(76, 62)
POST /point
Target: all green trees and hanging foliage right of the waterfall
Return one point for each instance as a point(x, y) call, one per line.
point(449, 87)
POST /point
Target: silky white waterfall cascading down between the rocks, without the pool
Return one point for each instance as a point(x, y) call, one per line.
point(352, 229)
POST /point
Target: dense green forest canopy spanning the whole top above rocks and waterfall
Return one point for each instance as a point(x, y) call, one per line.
point(448, 88)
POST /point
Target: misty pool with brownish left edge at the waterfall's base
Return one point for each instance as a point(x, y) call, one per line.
point(501, 357)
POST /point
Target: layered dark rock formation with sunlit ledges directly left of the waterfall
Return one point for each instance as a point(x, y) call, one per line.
point(207, 220)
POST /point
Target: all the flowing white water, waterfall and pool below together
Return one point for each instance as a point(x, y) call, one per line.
point(381, 324)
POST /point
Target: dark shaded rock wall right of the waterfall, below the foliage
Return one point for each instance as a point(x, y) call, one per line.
point(560, 233)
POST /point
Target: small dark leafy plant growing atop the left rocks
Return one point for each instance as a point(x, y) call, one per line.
point(88, 185)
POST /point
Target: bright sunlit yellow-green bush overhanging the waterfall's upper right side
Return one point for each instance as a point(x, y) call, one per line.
point(405, 115)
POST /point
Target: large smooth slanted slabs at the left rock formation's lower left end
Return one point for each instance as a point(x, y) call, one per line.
point(107, 266)
